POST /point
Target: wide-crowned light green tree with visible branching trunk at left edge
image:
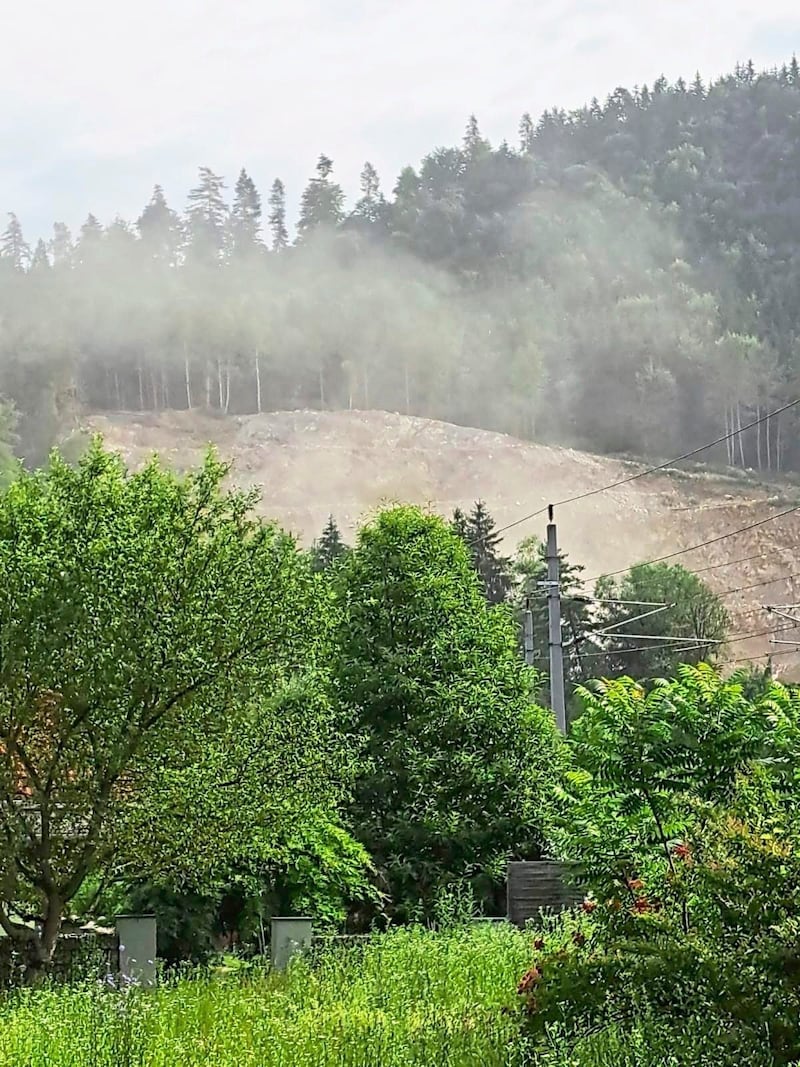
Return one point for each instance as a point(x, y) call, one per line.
point(161, 699)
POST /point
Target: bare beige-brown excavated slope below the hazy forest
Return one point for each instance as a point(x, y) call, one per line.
point(311, 465)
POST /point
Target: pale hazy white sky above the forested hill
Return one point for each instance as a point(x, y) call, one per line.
point(103, 99)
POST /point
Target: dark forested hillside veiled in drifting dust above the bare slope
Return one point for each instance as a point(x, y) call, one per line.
point(625, 279)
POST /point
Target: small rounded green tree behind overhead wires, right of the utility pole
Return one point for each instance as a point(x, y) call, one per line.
point(691, 629)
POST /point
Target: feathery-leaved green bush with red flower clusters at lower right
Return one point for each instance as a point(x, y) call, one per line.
point(681, 823)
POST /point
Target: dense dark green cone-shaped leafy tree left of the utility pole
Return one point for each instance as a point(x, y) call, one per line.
point(458, 761)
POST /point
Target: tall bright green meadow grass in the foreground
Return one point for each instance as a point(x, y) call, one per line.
point(405, 999)
